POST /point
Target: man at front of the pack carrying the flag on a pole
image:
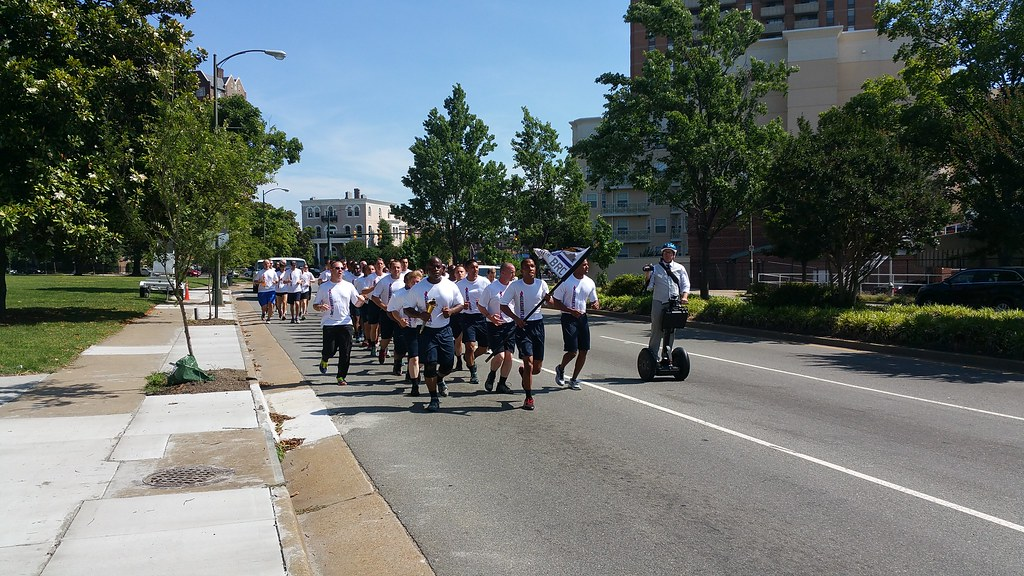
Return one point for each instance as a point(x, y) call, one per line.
point(522, 299)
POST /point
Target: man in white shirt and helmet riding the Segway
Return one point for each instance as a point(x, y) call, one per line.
point(670, 284)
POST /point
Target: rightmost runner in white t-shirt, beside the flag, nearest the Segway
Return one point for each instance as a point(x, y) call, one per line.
point(572, 297)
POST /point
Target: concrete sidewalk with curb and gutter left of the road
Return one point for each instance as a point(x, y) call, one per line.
point(101, 479)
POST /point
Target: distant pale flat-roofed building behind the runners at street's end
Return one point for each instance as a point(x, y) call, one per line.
point(354, 219)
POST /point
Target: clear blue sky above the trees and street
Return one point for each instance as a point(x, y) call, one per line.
point(361, 77)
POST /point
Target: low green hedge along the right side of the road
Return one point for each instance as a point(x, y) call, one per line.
point(958, 330)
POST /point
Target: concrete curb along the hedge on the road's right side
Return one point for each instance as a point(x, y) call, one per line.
point(973, 361)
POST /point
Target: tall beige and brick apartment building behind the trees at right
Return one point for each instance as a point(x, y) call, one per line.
point(835, 46)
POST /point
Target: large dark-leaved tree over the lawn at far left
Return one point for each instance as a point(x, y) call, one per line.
point(73, 74)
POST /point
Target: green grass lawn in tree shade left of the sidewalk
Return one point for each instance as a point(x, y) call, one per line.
point(53, 318)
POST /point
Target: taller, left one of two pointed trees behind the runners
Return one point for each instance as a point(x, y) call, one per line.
point(456, 193)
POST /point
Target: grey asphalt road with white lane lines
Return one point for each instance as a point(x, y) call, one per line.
point(772, 459)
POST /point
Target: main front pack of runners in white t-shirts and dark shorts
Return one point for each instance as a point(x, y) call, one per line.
point(444, 319)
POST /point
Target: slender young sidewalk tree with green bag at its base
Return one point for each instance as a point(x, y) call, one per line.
point(195, 176)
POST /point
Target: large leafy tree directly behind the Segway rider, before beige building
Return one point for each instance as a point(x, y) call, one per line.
point(690, 130)
